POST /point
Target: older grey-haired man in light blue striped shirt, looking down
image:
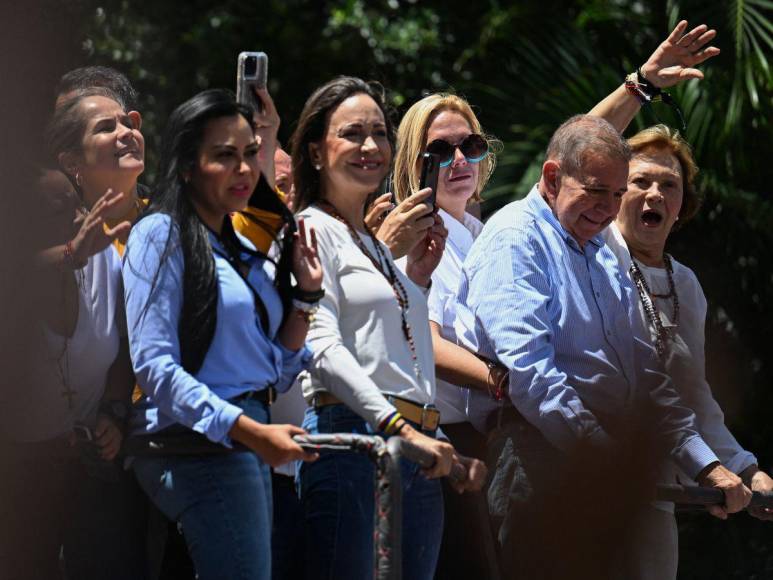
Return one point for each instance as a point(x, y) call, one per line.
point(542, 294)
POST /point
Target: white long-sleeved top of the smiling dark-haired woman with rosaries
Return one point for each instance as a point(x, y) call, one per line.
point(360, 351)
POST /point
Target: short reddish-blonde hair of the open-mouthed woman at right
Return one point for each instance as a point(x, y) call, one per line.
point(663, 137)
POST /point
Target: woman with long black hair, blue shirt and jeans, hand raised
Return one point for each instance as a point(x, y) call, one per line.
point(214, 328)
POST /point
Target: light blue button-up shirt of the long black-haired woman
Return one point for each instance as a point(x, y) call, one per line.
point(241, 357)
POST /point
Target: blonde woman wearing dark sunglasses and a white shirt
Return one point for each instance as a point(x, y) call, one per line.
point(445, 124)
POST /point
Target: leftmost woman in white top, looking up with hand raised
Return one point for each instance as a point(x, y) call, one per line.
point(72, 495)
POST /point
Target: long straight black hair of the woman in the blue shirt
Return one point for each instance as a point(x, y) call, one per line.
point(180, 144)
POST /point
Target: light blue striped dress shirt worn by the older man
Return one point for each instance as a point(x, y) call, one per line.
point(558, 317)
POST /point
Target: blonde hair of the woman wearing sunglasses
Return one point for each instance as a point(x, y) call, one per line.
point(412, 141)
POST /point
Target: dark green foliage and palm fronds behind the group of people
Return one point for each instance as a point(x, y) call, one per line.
point(526, 66)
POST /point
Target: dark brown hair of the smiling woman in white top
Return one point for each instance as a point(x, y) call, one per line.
point(313, 123)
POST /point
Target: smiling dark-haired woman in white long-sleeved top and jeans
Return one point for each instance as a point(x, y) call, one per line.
point(373, 368)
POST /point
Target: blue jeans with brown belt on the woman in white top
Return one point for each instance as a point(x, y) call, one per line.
point(337, 492)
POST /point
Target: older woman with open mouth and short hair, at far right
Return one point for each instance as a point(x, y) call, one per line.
point(661, 196)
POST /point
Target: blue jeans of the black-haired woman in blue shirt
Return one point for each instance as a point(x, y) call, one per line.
point(223, 503)
